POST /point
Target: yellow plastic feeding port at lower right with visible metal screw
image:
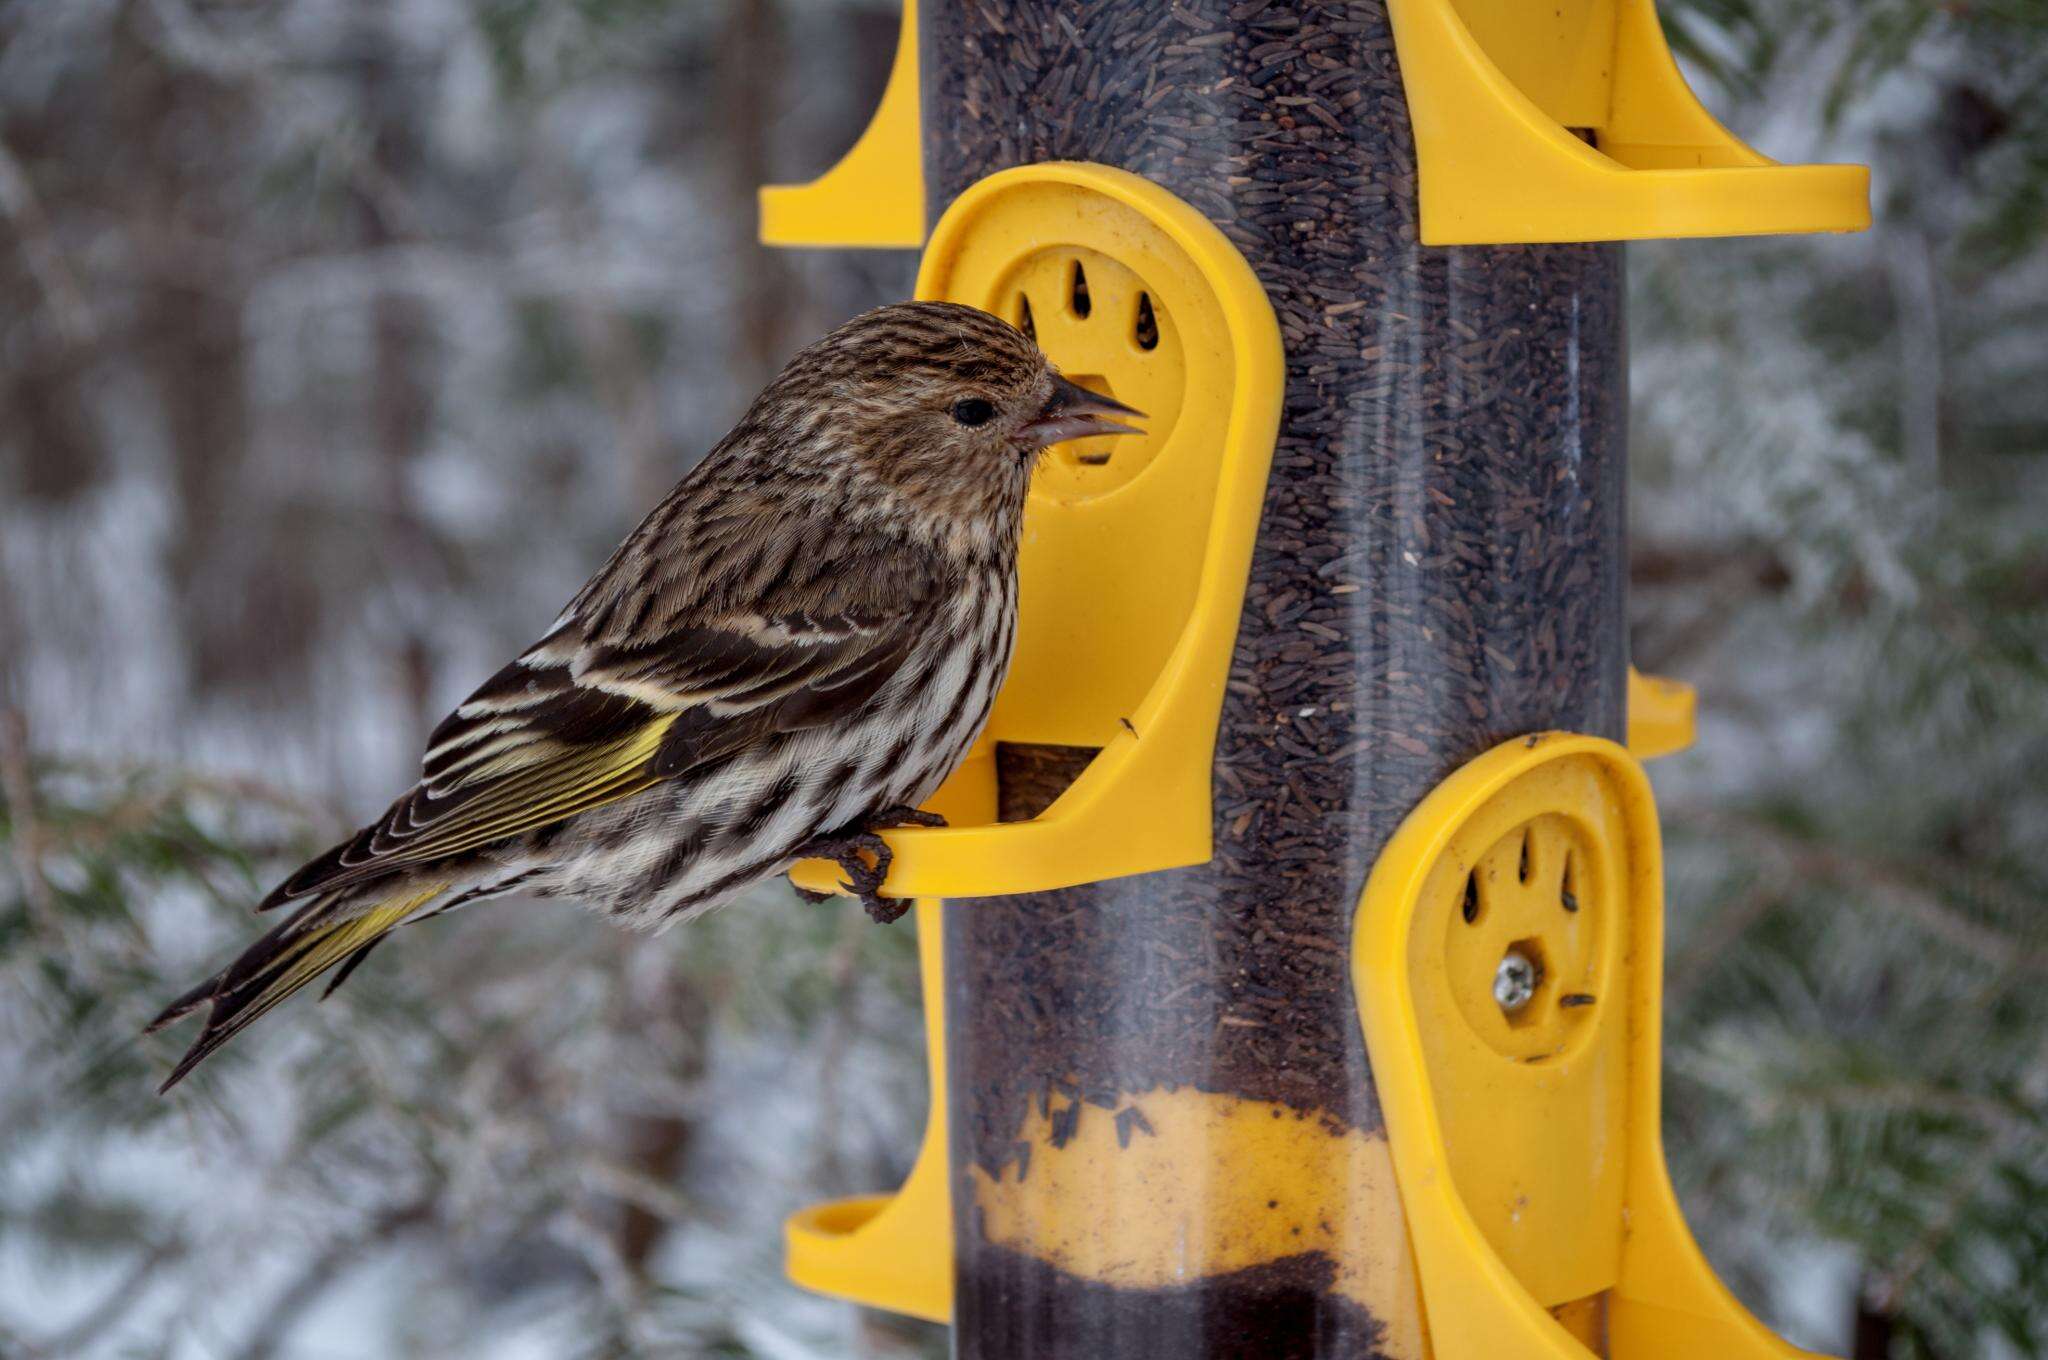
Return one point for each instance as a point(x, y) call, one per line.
point(1508, 960)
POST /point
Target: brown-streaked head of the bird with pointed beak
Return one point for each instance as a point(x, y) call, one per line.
point(947, 407)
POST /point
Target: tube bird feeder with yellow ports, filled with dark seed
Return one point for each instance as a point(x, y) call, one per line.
point(1293, 953)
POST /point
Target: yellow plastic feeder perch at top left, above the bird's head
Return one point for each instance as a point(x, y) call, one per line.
point(876, 196)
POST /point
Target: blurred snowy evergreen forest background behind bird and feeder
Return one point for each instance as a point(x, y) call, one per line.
point(343, 339)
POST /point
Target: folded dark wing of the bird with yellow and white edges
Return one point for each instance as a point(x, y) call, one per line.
point(593, 716)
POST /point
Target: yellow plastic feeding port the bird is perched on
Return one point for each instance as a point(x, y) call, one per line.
point(1136, 552)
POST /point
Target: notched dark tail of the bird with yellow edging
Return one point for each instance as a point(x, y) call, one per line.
point(335, 929)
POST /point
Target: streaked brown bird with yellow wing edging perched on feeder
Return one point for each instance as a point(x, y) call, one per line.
point(783, 661)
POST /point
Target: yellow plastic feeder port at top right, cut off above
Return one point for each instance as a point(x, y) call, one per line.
point(1506, 93)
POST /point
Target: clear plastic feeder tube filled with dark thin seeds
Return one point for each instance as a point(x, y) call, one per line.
point(1166, 1138)
